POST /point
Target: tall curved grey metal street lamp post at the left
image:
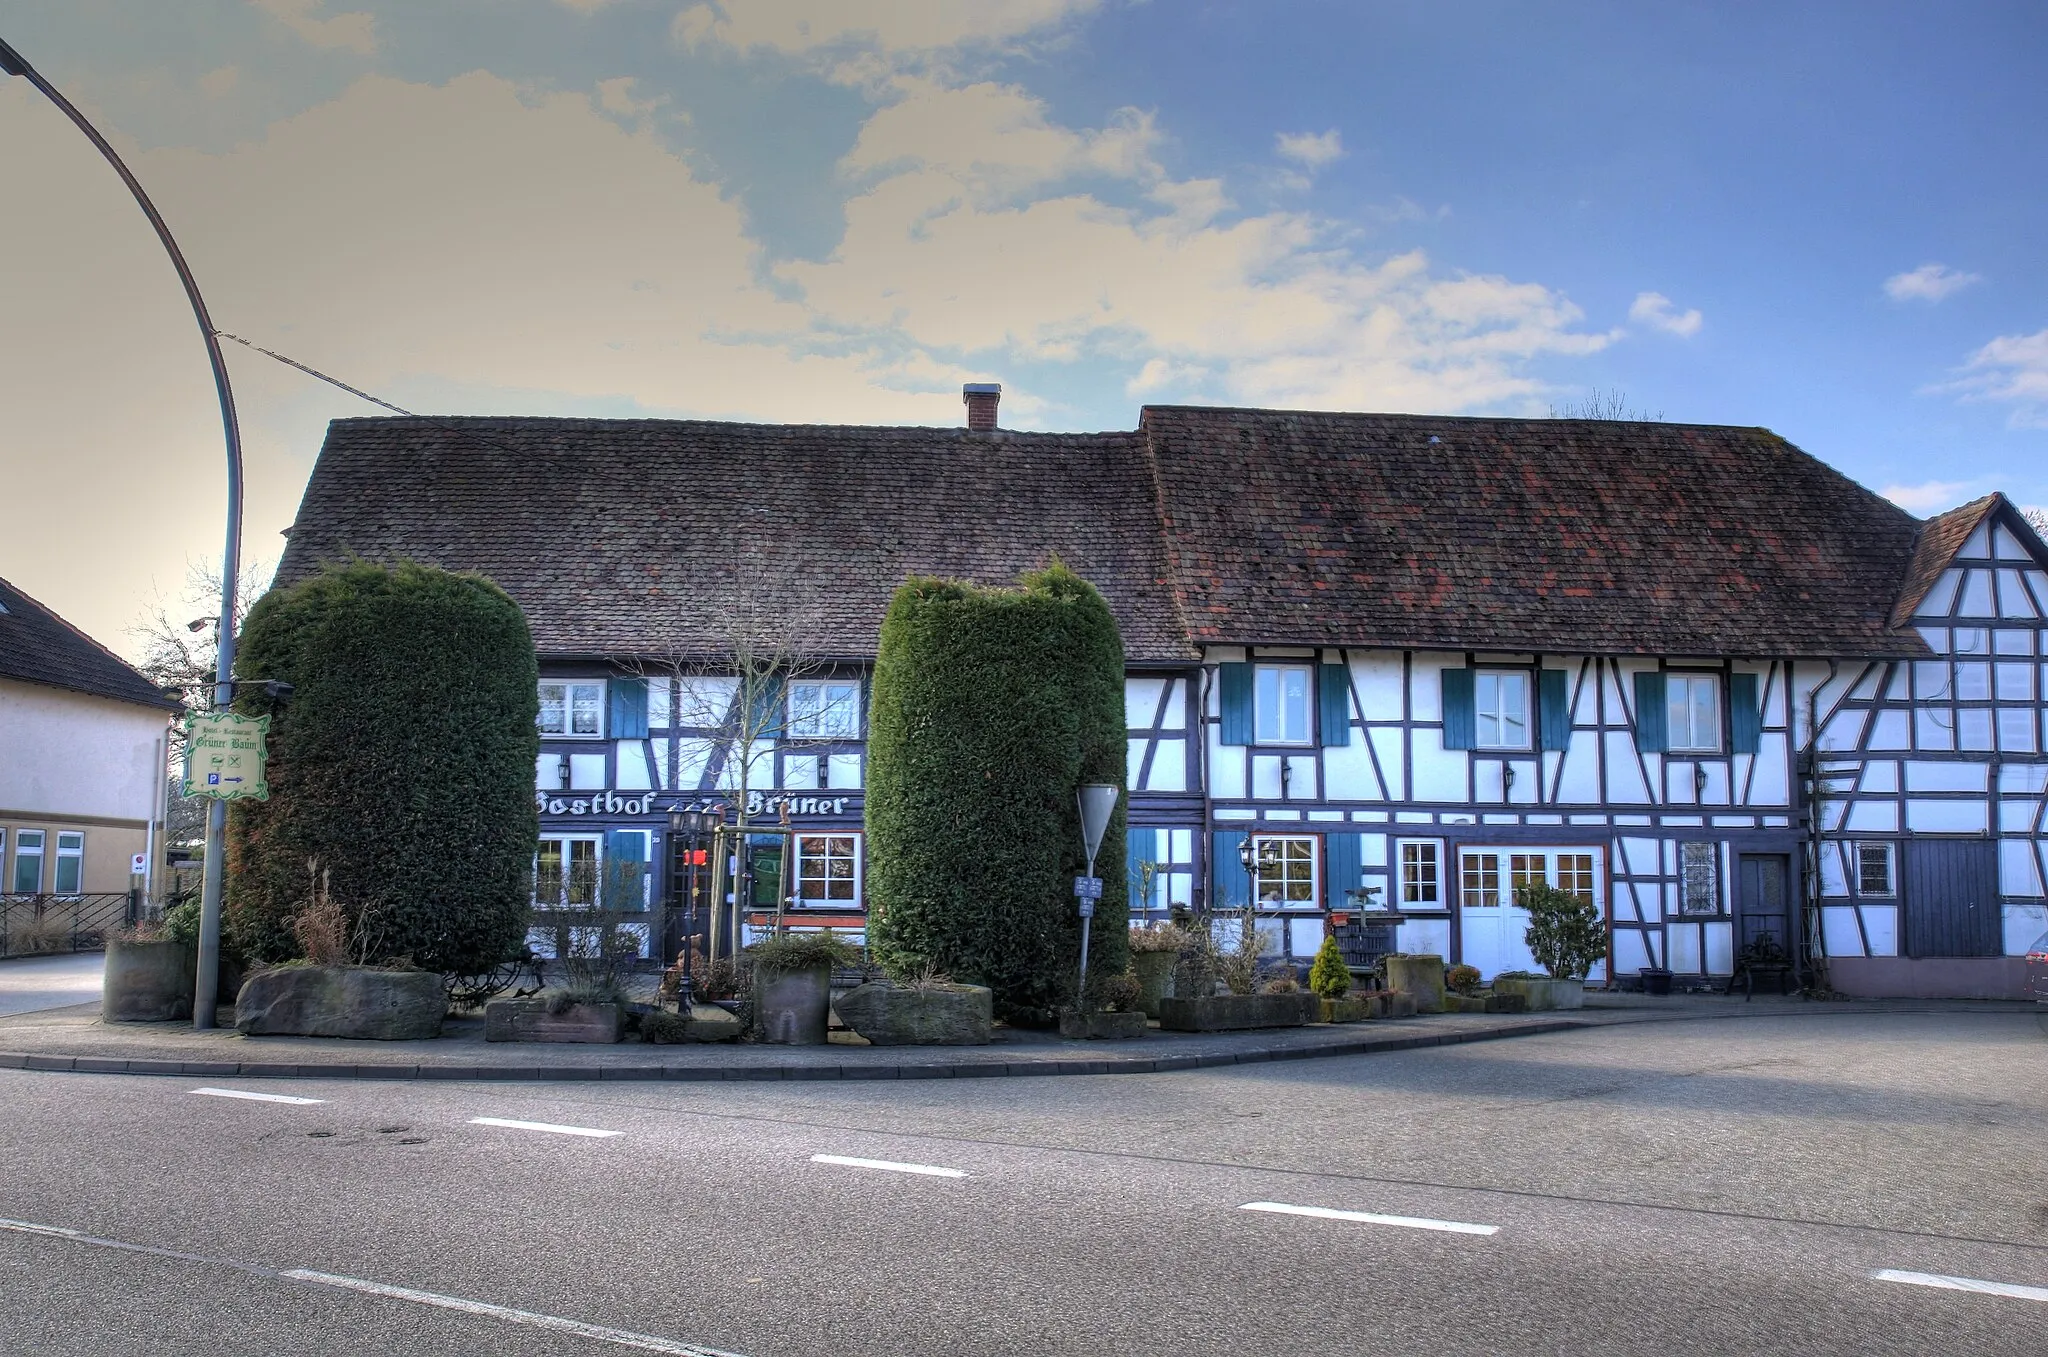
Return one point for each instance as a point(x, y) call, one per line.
point(210, 902)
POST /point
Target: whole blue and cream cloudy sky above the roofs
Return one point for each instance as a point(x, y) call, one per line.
point(1826, 220)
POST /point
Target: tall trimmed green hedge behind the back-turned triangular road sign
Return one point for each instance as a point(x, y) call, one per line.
point(992, 707)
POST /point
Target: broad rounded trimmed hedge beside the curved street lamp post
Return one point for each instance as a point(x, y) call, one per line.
point(402, 764)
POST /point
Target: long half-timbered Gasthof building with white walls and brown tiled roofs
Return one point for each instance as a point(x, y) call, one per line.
point(1418, 662)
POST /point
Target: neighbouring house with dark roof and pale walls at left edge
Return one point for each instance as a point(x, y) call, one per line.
point(81, 760)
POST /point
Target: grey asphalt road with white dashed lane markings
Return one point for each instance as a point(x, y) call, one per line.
point(1727, 1186)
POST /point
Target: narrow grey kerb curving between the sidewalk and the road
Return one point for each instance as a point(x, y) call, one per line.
point(751, 1074)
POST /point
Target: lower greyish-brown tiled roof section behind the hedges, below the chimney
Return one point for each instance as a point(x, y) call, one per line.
point(620, 537)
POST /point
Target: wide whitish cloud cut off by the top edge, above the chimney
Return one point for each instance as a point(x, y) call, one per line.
point(802, 28)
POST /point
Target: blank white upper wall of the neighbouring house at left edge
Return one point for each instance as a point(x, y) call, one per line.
point(69, 754)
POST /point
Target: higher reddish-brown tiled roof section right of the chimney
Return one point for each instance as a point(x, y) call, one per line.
point(1523, 535)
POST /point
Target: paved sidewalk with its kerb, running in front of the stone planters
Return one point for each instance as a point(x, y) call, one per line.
point(77, 1041)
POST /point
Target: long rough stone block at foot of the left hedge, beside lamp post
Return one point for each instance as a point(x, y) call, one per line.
point(353, 1002)
